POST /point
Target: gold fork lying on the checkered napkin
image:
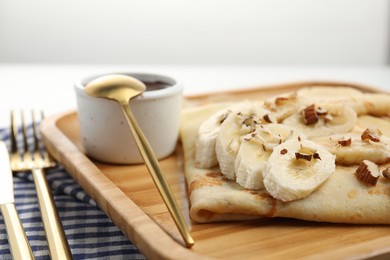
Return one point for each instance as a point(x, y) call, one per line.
point(36, 161)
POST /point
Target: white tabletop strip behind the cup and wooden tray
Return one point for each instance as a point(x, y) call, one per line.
point(49, 87)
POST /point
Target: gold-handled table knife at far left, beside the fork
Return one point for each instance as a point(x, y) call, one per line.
point(17, 239)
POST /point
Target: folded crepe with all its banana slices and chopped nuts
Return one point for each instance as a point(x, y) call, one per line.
point(317, 153)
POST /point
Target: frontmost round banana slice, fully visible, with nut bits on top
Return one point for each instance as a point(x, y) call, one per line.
point(287, 178)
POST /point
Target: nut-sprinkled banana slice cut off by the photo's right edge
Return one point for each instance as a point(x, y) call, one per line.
point(350, 149)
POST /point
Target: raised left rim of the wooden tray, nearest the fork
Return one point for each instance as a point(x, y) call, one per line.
point(144, 233)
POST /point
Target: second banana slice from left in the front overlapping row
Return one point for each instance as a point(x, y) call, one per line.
point(238, 123)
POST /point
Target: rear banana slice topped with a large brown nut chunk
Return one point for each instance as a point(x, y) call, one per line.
point(323, 120)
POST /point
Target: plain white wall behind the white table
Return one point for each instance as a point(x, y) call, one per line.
point(250, 32)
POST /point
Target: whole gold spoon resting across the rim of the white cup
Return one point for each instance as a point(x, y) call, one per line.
point(122, 88)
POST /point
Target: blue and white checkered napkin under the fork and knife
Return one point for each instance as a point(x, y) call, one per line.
point(90, 233)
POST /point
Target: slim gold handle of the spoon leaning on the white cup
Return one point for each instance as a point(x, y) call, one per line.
point(157, 175)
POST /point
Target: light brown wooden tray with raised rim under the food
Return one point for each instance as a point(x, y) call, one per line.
point(128, 196)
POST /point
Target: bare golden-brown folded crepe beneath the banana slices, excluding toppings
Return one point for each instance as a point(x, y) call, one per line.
point(340, 199)
